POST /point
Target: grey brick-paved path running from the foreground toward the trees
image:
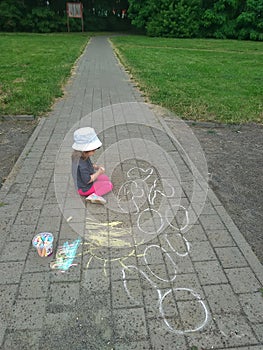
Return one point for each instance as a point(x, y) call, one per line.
point(161, 266)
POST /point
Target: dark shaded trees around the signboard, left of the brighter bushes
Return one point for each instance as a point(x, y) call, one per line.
point(45, 16)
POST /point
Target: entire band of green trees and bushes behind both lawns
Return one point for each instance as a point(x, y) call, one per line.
point(232, 19)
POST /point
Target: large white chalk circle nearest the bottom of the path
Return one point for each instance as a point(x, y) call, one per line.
point(198, 308)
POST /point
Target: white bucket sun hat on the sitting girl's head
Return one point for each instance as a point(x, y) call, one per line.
point(85, 139)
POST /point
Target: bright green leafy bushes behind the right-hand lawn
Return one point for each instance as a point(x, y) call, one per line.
point(234, 19)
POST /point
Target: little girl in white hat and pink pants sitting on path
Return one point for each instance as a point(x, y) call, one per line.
point(89, 179)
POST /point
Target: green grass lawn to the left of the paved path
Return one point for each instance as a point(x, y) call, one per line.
point(33, 69)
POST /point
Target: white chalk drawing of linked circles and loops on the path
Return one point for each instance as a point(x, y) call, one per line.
point(138, 189)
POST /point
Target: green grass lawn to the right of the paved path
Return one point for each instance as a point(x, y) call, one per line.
point(199, 79)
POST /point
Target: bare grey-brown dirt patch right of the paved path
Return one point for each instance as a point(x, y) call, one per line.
point(234, 159)
